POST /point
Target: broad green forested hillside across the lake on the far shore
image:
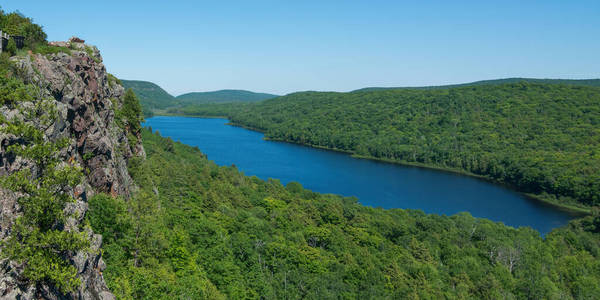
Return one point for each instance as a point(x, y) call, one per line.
point(543, 139)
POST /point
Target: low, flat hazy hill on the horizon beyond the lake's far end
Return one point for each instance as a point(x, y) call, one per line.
point(223, 96)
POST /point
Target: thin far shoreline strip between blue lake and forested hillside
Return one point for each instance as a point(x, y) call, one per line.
point(566, 207)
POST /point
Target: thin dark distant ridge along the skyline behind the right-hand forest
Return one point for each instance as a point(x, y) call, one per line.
point(585, 82)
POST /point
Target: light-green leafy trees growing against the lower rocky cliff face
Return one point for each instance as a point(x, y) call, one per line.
point(37, 239)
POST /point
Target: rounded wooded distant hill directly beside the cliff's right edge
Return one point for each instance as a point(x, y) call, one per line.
point(151, 95)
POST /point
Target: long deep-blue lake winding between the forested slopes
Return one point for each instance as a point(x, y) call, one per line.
point(375, 184)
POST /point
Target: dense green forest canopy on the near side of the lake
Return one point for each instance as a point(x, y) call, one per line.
point(195, 226)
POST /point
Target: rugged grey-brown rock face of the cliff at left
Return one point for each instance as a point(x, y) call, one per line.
point(85, 98)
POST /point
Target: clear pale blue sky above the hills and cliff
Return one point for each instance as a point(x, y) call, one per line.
point(286, 46)
